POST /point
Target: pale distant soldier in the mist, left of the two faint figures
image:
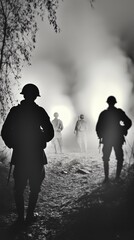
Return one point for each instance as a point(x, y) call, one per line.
point(58, 127)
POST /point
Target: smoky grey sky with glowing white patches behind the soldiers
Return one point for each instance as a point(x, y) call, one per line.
point(90, 59)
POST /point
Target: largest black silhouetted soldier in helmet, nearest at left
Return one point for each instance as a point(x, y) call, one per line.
point(26, 129)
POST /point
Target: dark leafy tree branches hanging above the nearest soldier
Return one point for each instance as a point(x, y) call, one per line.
point(18, 28)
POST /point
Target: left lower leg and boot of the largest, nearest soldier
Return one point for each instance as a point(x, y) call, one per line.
point(19, 201)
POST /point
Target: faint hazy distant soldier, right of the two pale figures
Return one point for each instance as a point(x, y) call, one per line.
point(81, 133)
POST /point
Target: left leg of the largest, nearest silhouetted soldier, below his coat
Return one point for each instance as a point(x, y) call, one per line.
point(20, 181)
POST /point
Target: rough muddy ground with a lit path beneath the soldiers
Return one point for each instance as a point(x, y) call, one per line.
point(74, 204)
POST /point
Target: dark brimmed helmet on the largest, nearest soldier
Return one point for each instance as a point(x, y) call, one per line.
point(30, 89)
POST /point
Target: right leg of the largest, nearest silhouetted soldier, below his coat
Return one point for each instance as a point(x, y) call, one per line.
point(35, 179)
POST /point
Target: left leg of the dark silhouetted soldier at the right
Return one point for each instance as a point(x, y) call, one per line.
point(107, 148)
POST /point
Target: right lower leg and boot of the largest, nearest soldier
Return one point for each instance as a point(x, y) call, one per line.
point(33, 197)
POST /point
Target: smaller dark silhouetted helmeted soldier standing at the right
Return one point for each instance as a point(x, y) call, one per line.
point(111, 128)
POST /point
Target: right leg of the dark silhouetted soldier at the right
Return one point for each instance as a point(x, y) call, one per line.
point(120, 158)
